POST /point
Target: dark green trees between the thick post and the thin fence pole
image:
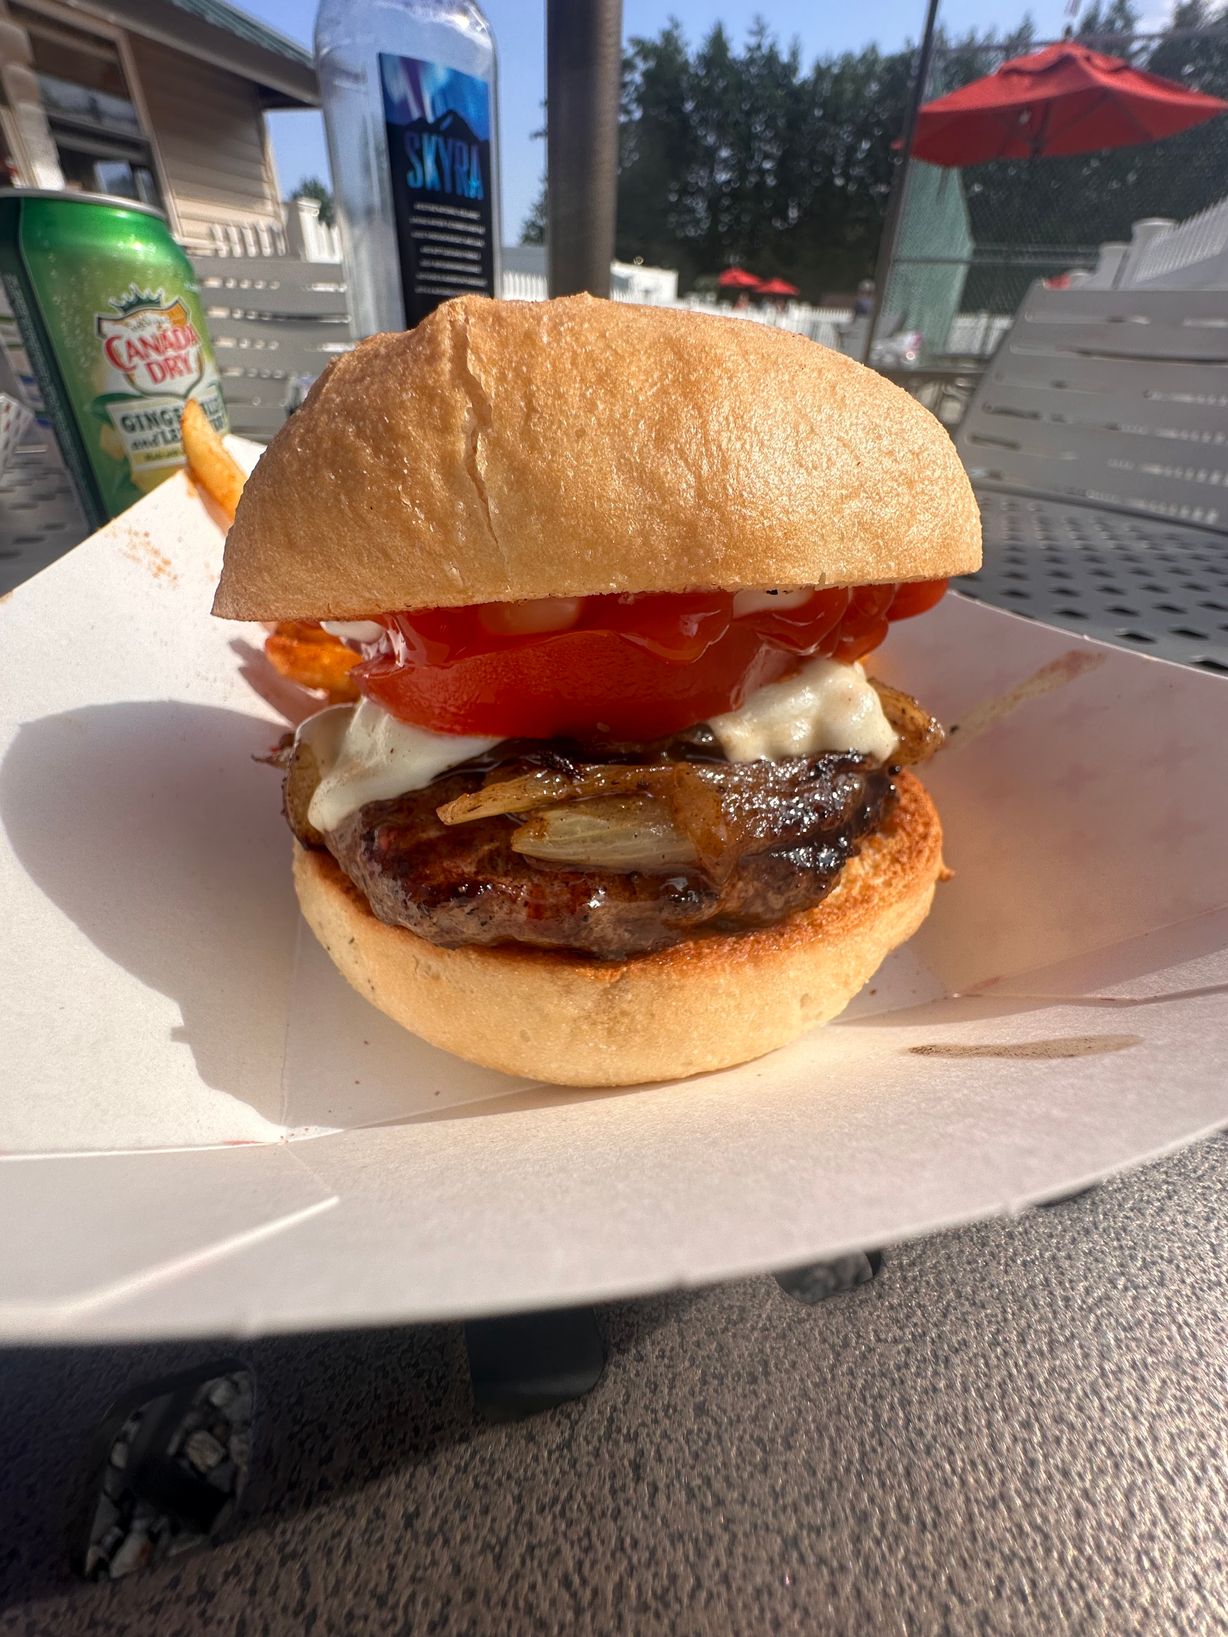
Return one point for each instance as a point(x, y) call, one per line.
point(746, 156)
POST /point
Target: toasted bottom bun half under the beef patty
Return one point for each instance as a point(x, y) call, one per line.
point(703, 1004)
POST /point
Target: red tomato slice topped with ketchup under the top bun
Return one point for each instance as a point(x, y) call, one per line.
point(615, 667)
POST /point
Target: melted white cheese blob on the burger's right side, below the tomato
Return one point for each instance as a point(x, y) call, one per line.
point(823, 706)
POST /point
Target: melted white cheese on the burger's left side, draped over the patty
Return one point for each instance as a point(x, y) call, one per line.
point(366, 755)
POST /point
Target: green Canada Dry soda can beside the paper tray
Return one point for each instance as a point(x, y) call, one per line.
point(111, 317)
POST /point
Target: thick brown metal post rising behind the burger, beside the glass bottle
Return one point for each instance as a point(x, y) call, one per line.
point(584, 61)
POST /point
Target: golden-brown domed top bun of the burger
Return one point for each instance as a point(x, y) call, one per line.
point(513, 449)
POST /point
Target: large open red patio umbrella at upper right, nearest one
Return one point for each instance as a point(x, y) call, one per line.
point(1065, 99)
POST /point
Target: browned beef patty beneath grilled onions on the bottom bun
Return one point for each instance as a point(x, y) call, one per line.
point(785, 828)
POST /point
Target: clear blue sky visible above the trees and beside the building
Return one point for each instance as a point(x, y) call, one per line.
point(520, 32)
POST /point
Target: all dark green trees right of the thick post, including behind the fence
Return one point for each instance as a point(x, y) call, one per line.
point(744, 155)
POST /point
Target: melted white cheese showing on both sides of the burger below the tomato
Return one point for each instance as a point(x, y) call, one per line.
point(366, 755)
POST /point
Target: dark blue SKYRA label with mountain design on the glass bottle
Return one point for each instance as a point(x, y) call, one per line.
point(440, 147)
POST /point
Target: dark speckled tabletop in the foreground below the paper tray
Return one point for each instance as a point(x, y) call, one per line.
point(1016, 1428)
